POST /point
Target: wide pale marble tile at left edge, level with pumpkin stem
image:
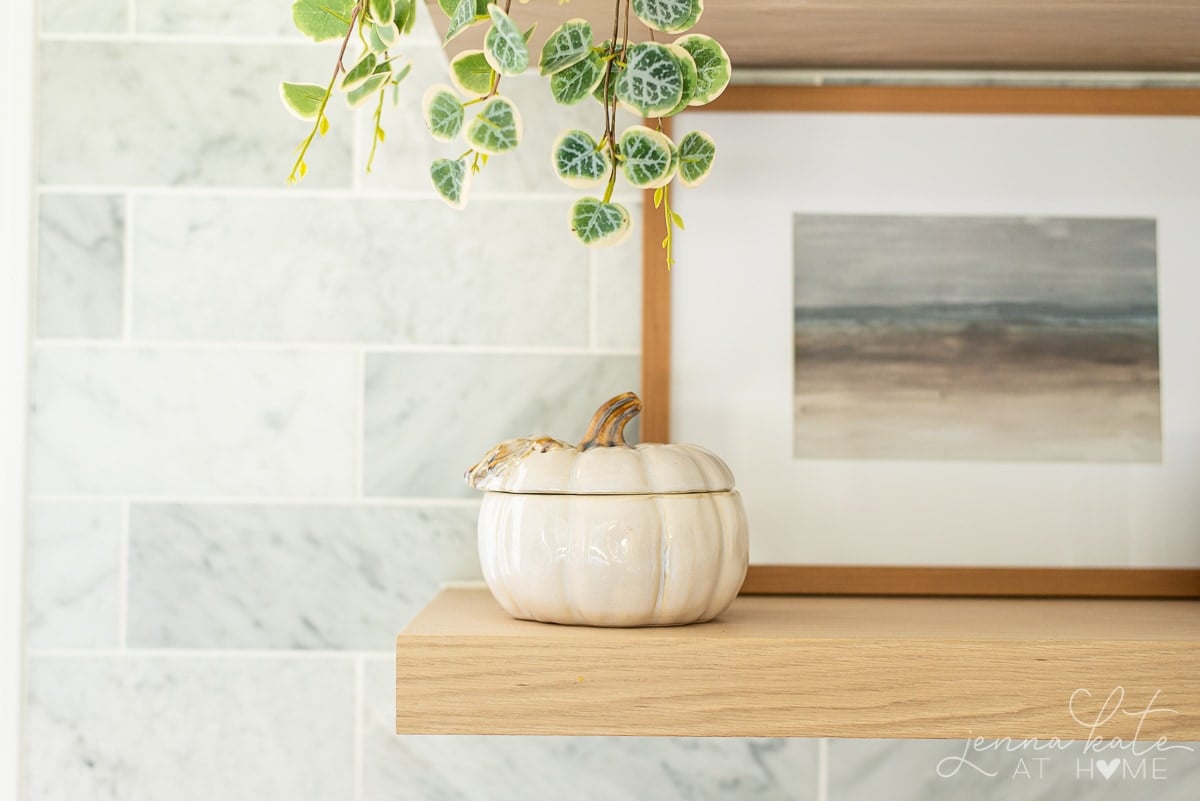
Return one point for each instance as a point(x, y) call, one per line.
point(193, 423)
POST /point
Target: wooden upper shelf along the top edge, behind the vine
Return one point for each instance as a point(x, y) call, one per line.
point(917, 34)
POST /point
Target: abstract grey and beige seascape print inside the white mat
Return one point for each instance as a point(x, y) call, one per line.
point(976, 339)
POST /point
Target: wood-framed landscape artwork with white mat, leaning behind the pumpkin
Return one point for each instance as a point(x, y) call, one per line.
point(946, 338)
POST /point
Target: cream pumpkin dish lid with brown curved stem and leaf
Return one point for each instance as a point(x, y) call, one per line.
point(603, 465)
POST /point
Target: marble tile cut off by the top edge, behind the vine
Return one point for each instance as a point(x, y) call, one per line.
point(245, 20)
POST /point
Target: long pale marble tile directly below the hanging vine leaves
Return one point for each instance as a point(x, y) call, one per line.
point(380, 272)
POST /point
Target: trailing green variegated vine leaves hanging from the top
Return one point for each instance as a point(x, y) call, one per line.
point(653, 80)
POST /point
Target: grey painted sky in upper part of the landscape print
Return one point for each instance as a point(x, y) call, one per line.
point(896, 261)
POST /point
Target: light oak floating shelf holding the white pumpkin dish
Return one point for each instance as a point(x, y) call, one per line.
point(806, 667)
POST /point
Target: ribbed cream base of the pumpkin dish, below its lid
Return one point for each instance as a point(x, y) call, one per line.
point(614, 559)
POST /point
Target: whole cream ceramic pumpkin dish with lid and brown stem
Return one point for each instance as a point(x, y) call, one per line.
point(607, 534)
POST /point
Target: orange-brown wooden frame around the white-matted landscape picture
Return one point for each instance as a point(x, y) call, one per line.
point(908, 581)
